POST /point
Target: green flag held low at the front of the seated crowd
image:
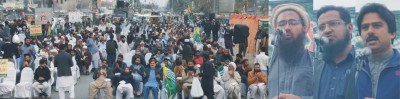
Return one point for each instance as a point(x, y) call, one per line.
point(169, 83)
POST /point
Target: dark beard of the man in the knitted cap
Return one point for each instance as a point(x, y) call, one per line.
point(289, 48)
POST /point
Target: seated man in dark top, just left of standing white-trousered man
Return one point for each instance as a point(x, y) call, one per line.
point(42, 76)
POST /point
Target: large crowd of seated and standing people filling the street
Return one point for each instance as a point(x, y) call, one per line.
point(101, 51)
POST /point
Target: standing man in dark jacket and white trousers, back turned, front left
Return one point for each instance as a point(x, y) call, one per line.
point(63, 62)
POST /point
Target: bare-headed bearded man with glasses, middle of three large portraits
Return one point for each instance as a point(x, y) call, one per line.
point(334, 75)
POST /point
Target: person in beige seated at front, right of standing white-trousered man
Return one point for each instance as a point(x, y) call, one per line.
point(100, 77)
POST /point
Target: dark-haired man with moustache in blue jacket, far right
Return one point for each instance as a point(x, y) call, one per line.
point(379, 77)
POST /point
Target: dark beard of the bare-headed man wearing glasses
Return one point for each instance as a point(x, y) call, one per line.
point(333, 49)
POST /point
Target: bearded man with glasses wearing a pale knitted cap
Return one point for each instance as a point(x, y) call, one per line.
point(292, 70)
